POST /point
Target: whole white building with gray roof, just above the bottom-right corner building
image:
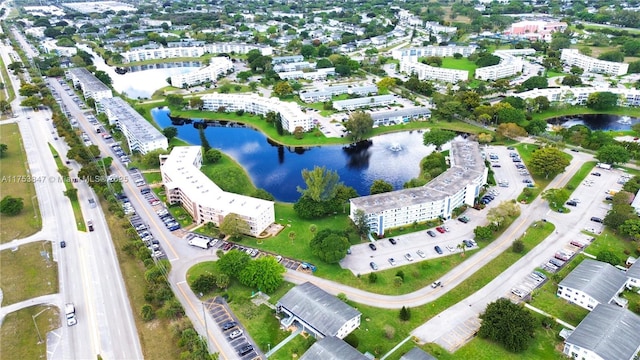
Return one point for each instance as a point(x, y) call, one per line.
point(592, 283)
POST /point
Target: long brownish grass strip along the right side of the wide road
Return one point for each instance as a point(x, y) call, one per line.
point(156, 338)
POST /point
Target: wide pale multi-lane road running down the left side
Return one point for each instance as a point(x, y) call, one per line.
point(89, 274)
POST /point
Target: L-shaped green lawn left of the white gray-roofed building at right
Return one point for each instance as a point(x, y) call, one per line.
point(545, 298)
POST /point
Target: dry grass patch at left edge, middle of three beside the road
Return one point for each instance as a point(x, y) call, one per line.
point(26, 273)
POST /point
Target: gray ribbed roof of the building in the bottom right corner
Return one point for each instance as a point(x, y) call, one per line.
point(610, 331)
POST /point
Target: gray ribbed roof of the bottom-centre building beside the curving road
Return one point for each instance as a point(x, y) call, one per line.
point(321, 310)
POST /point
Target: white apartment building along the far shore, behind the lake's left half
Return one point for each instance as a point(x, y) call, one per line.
point(290, 113)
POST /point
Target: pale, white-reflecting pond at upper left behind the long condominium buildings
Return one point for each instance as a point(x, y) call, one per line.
point(141, 84)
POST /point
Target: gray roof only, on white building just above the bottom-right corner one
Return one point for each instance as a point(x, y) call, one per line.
point(597, 279)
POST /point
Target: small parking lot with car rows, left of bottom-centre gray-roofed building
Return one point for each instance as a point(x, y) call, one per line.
point(232, 329)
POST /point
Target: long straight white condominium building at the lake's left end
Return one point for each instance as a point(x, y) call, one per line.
point(141, 135)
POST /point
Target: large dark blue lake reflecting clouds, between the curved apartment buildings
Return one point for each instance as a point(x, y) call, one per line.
point(278, 169)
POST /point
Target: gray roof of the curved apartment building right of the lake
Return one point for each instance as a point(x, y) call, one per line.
point(466, 165)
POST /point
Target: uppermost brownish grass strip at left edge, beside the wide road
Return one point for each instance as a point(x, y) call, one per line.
point(12, 171)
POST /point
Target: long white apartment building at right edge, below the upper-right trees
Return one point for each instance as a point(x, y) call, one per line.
point(579, 95)
